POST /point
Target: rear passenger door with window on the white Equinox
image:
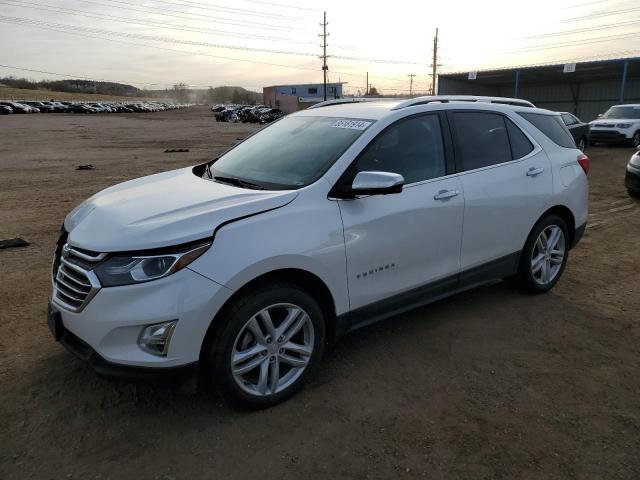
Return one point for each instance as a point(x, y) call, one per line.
point(506, 179)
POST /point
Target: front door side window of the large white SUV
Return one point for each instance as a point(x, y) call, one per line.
point(412, 147)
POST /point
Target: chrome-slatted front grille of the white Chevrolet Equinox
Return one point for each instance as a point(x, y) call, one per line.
point(74, 283)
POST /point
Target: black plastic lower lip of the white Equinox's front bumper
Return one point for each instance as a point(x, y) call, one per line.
point(166, 376)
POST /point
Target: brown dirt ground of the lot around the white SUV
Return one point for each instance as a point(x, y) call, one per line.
point(490, 384)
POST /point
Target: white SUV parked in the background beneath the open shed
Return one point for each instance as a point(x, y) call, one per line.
point(621, 123)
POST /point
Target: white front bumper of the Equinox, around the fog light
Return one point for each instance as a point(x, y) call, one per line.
point(109, 326)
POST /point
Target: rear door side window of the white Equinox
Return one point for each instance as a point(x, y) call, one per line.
point(481, 139)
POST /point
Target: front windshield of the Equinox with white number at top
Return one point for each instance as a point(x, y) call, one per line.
point(290, 153)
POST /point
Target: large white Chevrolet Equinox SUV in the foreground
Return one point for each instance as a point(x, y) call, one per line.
point(332, 218)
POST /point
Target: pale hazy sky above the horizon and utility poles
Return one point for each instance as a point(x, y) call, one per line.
point(254, 43)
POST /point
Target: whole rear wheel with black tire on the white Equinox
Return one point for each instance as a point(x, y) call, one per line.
point(532, 279)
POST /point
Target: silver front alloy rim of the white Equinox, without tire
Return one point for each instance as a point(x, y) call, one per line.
point(272, 349)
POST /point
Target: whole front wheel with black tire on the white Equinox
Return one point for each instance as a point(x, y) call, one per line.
point(264, 349)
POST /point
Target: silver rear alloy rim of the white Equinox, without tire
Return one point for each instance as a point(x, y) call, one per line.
point(548, 255)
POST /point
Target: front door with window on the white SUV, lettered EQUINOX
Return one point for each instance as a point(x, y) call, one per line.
point(404, 249)
